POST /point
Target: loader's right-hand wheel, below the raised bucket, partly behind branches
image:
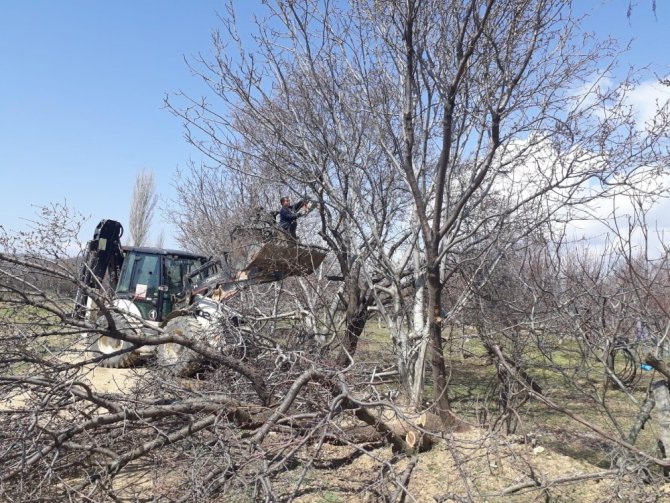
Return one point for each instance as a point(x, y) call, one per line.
point(179, 360)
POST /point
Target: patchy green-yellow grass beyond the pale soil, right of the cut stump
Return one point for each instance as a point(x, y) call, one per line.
point(566, 376)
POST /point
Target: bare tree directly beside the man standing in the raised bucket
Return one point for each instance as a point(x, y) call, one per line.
point(356, 204)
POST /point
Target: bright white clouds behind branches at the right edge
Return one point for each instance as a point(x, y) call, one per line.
point(609, 213)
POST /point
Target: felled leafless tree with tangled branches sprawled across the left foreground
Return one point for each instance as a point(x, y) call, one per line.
point(257, 387)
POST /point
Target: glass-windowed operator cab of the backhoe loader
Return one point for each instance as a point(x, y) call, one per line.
point(151, 277)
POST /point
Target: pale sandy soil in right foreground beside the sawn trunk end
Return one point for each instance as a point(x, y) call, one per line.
point(474, 466)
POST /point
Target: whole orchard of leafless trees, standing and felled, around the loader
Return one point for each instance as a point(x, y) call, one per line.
point(459, 342)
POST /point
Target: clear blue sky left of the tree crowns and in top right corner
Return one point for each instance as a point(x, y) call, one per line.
point(82, 85)
